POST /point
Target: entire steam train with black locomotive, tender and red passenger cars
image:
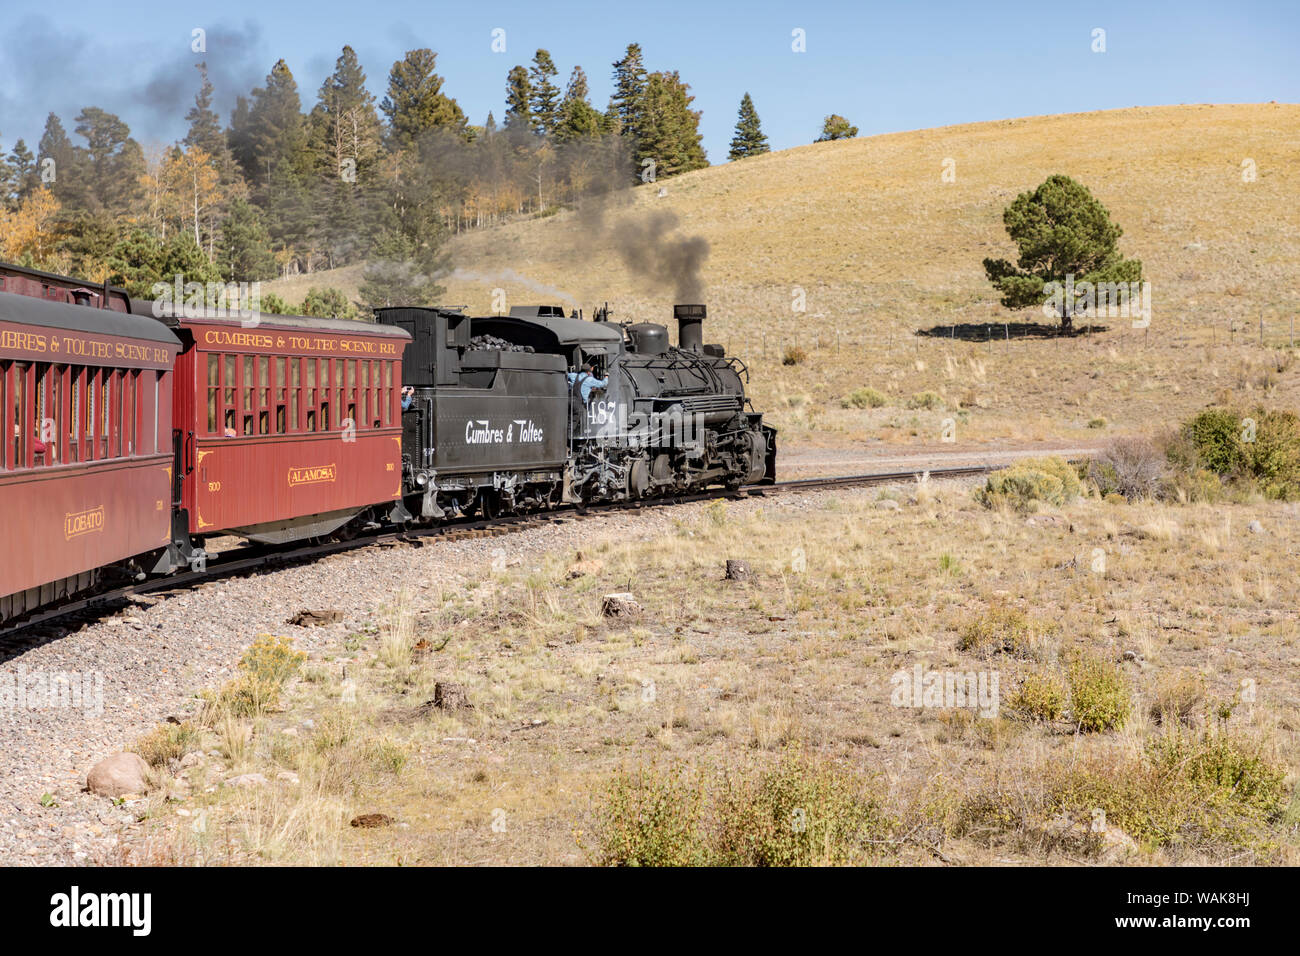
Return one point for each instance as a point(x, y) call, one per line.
point(136, 436)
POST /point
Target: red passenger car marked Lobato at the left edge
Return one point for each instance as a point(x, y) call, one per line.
point(86, 452)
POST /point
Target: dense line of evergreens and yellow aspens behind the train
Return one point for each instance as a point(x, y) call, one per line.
point(281, 192)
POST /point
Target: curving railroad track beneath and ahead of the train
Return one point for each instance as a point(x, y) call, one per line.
point(242, 561)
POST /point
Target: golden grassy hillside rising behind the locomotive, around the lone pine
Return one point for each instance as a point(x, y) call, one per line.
point(882, 246)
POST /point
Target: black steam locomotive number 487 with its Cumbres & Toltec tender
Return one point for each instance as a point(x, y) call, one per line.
point(499, 423)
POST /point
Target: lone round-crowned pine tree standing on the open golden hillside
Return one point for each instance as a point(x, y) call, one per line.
point(1064, 233)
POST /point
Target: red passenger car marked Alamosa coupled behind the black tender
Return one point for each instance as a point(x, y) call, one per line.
point(291, 427)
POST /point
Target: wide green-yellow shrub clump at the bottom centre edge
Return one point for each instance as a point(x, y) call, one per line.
point(801, 812)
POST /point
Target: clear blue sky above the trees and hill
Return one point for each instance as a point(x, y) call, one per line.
point(886, 66)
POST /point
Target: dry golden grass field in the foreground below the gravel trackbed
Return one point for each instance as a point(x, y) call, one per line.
point(721, 674)
